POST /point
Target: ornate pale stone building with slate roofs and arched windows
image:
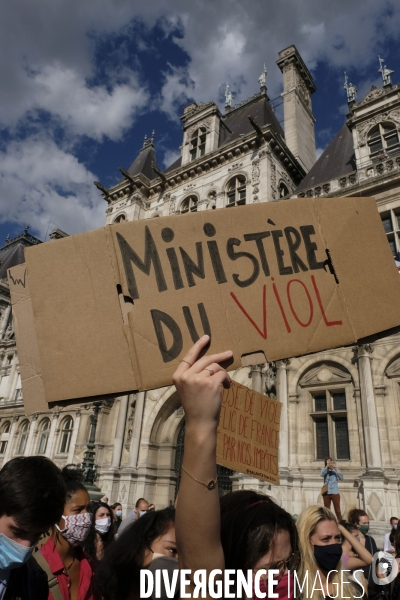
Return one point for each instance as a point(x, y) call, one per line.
point(343, 402)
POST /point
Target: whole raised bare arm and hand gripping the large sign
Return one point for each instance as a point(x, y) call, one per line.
point(199, 382)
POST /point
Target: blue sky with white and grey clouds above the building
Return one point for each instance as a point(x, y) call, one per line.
point(83, 82)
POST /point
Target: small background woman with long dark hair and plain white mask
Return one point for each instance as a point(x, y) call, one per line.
point(101, 532)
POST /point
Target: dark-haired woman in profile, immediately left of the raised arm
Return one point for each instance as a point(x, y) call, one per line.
point(152, 536)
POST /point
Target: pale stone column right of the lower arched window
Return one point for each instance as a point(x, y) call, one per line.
point(373, 456)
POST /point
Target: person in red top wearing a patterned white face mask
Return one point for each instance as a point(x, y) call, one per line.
point(62, 554)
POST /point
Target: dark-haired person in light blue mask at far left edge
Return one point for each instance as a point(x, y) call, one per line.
point(24, 518)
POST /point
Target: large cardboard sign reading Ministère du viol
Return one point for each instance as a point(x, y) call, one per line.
point(115, 309)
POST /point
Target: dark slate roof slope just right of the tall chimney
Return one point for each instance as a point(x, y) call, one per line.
point(337, 159)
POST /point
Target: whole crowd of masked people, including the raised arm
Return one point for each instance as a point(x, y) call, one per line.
point(55, 544)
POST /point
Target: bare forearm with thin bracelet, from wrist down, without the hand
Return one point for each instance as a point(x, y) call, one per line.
point(198, 516)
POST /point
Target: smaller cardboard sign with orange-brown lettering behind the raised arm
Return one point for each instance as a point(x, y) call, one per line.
point(248, 433)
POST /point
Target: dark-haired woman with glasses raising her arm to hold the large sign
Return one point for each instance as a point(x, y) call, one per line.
point(245, 530)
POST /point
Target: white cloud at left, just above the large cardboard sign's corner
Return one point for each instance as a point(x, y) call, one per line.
point(39, 181)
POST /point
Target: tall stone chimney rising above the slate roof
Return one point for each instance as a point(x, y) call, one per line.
point(298, 85)
